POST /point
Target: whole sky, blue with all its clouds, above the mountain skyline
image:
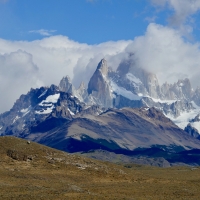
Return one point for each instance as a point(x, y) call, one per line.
point(43, 40)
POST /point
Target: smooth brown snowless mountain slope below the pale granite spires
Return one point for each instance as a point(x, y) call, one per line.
point(117, 130)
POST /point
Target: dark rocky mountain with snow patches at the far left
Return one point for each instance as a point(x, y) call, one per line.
point(39, 106)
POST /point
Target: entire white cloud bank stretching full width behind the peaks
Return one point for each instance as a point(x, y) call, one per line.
point(161, 50)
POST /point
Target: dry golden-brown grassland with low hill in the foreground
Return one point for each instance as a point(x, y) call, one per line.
point(44, 173)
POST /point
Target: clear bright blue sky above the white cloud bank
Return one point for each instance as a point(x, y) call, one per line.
point(81, 20)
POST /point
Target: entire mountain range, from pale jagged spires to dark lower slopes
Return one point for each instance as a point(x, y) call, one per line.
point(120, 111)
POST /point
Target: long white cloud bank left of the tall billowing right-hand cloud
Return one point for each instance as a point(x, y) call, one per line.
point(45, 62)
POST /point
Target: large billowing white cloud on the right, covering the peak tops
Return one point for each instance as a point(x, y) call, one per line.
point(163, 51)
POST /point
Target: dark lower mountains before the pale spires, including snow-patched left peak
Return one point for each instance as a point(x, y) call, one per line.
point(58, 119)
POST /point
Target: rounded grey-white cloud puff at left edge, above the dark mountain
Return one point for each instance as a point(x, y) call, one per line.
point(18, 74)
